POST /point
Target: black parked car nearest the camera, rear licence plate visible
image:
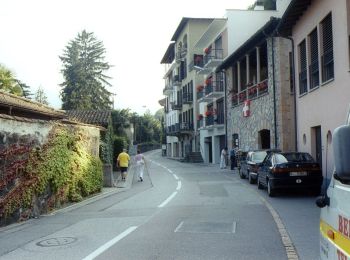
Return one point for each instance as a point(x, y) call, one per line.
point(293, 170)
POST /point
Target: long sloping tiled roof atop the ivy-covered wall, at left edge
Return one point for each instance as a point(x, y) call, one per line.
point(14, 105)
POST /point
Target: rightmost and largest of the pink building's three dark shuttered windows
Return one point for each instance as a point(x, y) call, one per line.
point(327, 49)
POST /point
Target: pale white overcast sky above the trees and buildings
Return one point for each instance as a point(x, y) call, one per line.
point(135, 34)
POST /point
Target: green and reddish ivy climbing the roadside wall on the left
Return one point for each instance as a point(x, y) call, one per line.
point(60, 171)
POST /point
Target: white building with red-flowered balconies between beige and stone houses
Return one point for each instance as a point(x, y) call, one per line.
point(222, 38)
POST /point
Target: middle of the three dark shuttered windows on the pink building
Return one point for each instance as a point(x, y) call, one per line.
point(313, 66)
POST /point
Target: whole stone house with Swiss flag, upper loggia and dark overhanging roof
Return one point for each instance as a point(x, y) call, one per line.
point(261, 110)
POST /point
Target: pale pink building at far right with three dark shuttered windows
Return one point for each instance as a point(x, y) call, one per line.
point(320, 32)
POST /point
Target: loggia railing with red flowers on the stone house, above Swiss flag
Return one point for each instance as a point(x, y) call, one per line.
point(251, 92)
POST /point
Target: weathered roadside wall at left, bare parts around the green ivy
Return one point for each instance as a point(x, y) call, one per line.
point(18, 138)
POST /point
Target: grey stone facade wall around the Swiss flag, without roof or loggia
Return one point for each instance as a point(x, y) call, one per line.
point(262, 108)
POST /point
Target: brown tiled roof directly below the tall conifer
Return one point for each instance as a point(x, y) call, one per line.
point(95, 117)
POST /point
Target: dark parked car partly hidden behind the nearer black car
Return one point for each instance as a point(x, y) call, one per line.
point(249, 166)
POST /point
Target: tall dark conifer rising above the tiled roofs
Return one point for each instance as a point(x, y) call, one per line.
point(85, 84)
